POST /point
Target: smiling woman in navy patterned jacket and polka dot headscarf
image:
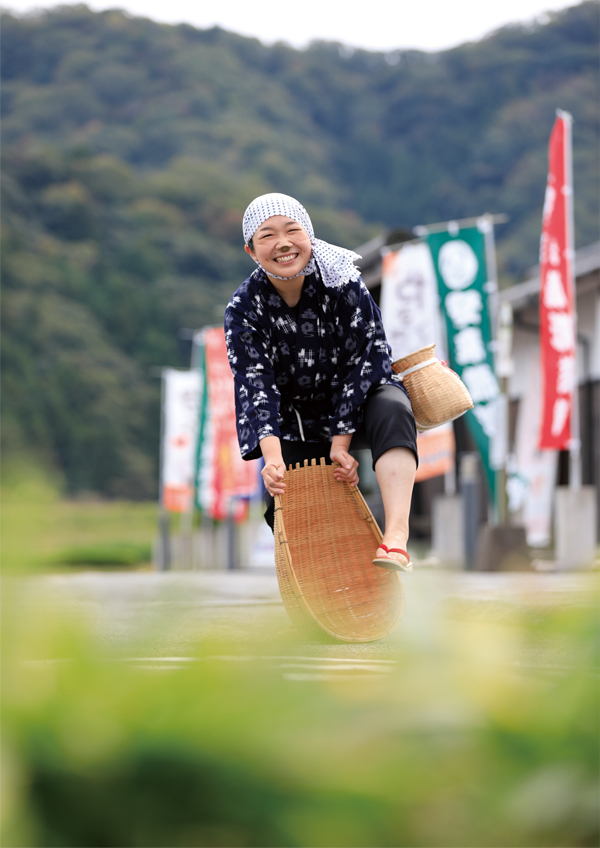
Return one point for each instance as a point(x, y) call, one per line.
point(312, 367)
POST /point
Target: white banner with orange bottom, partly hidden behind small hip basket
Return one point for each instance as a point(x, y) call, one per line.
point(410, 310)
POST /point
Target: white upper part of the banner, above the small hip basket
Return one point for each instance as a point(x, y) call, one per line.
point(410, 302)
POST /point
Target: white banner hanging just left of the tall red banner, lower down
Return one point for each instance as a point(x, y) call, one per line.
point(531, 488)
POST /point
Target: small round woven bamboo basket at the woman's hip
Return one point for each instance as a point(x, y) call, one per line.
point(437, 394)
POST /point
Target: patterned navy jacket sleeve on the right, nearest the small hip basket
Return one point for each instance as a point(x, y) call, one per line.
point(364, 356)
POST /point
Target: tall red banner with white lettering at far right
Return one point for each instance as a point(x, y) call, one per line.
point(557, 314)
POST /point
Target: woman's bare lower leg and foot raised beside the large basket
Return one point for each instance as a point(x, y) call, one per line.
point(395, 471)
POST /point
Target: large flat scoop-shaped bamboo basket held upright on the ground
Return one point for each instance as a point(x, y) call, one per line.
point(325, 541)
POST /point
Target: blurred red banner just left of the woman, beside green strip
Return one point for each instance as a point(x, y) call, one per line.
point(230, 475)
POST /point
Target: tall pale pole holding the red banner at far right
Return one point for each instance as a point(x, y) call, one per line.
point(575, 442)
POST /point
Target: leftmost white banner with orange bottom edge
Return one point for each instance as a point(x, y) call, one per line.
point(181, 399)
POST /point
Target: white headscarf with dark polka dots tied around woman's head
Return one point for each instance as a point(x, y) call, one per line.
point(336, 264)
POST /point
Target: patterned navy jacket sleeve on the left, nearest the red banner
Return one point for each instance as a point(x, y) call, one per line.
point(257, 397)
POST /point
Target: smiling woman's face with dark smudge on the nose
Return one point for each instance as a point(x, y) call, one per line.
point(281, 246)
